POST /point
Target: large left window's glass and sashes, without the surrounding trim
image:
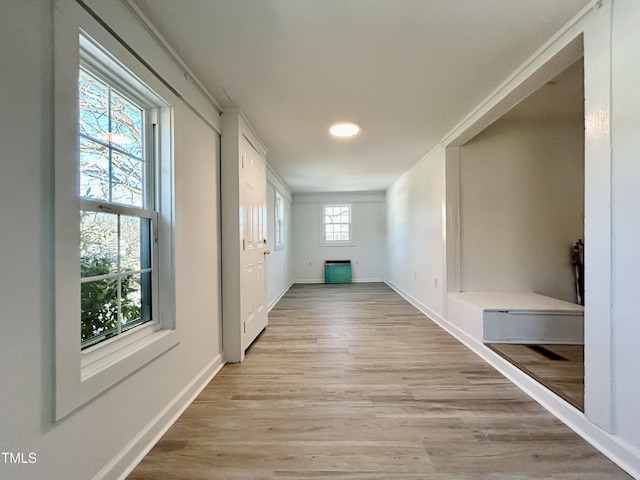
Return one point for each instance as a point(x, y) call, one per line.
point(118, 216)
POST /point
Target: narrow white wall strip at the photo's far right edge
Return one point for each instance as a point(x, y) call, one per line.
point(625, 130)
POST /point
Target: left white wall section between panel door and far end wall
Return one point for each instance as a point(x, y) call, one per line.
point(279, 262)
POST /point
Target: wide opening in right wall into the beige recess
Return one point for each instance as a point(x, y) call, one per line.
point(521, 211)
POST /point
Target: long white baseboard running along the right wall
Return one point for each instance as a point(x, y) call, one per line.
point(624, 455)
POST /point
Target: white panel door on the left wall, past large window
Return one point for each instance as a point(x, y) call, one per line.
point(253, 228)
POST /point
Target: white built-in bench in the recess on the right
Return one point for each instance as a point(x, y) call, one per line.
point(515, 317)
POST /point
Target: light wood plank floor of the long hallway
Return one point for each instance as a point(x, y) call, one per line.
point(350, 382)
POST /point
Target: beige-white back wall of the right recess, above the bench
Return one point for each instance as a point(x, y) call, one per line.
point(522, 205)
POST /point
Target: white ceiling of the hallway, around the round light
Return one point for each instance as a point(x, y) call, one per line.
point(406, 70)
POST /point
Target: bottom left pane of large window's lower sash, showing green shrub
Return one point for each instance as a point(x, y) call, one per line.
point(99, 311)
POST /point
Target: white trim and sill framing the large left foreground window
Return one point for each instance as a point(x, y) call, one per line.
point(80, 377)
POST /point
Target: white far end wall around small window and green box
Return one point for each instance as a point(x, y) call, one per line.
point(366, 255)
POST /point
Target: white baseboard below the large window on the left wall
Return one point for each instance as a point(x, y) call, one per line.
point(133, 453)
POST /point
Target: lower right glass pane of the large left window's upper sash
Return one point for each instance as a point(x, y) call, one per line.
point(127, 180)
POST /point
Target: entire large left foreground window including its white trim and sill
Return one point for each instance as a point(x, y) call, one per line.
point(114, 274)
